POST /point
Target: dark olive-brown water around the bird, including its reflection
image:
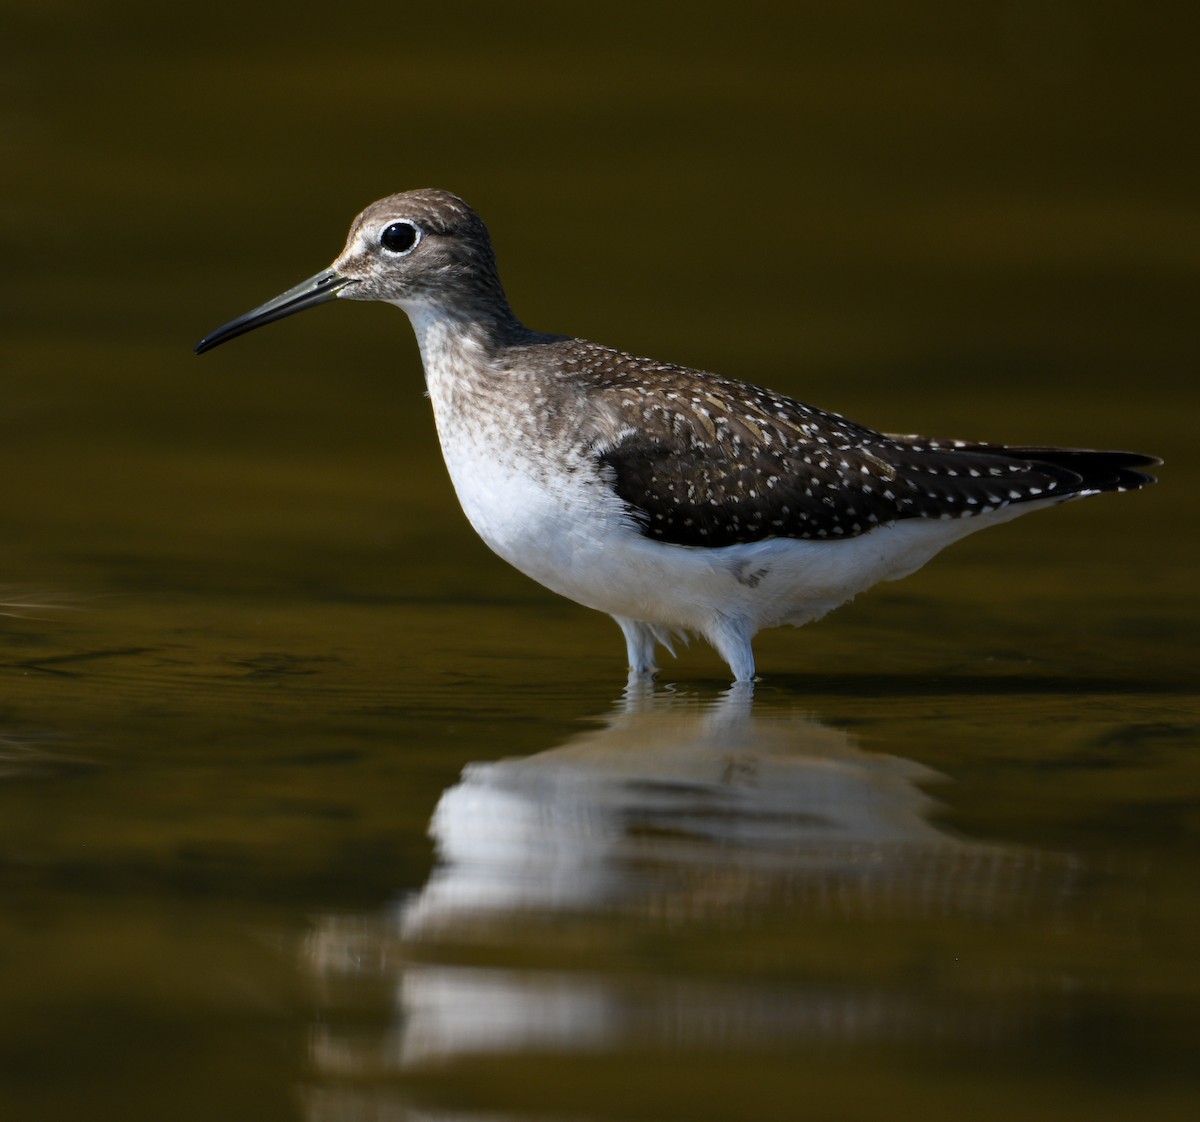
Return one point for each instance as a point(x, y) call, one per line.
point(311, 809)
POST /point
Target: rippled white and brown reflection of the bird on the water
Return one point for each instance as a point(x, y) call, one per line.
point(687, 821)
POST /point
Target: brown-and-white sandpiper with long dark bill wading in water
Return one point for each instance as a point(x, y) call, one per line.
point(674, 500)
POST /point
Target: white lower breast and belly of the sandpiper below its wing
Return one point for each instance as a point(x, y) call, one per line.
point(572, 535)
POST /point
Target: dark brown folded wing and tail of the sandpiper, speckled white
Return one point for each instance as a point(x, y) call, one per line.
point(712, 463)
